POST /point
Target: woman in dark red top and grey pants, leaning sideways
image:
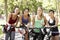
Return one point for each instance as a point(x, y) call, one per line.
point(12, 21)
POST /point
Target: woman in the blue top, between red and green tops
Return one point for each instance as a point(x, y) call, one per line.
point(25, 19)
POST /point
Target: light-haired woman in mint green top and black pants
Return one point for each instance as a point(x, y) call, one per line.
point(38, 22)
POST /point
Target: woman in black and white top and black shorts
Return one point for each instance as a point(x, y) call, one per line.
point(53, 21)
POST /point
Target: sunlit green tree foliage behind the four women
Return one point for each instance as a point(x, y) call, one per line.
point(31, 4)
